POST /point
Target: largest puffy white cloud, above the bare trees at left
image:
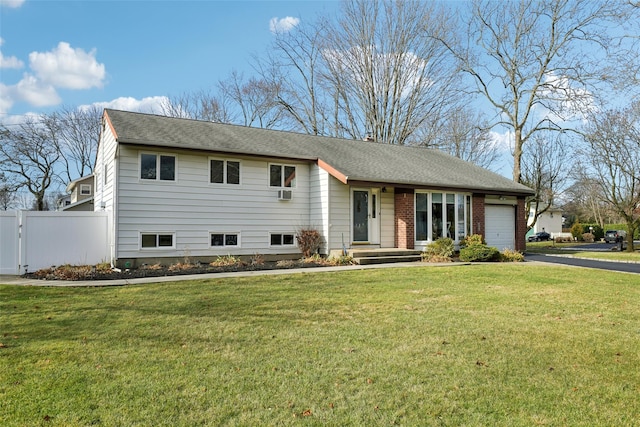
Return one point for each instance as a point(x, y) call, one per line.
point(68, 68)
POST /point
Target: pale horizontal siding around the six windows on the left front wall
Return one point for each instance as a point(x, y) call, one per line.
point(192, 208)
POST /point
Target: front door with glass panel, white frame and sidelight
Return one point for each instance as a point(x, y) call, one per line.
point(365, 213)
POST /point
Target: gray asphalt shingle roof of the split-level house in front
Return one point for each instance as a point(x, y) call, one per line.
point(357, 160)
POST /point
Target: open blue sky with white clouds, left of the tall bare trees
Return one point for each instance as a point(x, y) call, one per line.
point(125, 54)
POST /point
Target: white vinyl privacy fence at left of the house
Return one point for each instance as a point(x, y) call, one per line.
point(30, 241)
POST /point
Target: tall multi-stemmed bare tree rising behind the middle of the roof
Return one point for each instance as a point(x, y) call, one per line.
point(386, 70)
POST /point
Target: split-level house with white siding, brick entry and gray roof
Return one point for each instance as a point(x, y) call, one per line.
point(186, 188)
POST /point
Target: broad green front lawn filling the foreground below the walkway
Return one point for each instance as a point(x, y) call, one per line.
point(498, 344)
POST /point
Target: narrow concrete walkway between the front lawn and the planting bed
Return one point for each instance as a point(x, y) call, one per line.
point(20, 281)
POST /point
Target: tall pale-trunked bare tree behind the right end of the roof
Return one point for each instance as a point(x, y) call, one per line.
point(536, 62)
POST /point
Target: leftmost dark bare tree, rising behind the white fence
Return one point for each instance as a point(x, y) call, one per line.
point(30, 152)
